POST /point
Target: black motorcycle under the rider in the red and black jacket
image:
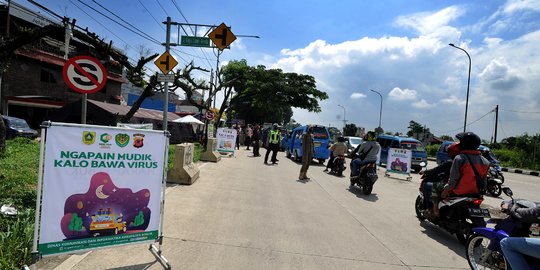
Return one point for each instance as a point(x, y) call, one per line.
point(457, 215)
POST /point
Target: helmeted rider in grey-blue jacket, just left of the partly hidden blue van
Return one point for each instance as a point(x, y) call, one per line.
point(365, 153)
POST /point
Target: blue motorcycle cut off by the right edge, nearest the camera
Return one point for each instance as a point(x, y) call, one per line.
point(483, 246)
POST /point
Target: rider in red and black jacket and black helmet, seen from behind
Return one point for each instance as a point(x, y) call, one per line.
point(469, 168)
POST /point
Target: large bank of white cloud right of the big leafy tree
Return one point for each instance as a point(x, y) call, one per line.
point(432, 77)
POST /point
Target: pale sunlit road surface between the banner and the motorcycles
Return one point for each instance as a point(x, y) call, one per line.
point(242, 214)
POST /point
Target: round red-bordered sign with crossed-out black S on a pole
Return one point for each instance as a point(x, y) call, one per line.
point(84, 74)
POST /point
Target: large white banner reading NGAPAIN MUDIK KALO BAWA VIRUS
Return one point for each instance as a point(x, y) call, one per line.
point(101, 187)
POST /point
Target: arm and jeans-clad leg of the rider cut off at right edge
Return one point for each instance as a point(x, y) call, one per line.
point(513, 248)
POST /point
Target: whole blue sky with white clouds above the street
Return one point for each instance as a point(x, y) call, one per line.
point(399, 48)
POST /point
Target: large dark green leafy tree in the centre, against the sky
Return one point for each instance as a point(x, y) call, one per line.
point(268, 95)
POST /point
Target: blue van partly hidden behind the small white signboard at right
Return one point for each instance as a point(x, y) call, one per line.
point(419, 154)
